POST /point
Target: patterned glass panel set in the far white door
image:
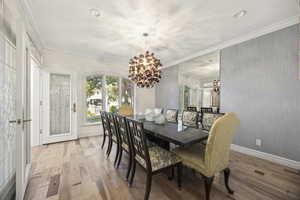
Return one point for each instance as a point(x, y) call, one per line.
point(60, 104)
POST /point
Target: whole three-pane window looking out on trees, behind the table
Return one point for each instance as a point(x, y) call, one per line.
point(106, 93)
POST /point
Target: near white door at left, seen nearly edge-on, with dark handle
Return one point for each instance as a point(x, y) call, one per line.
point(23, 118)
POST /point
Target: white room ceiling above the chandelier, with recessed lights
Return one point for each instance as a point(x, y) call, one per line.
point(176, 28)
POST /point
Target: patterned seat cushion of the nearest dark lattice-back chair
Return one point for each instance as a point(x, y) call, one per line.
point(160, 158)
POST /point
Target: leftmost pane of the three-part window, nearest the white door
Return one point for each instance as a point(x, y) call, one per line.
point(94, 100)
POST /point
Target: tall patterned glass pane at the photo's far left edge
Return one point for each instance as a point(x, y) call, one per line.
point(7, 112)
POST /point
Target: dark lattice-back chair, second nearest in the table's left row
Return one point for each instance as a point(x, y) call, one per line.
point(124, 144)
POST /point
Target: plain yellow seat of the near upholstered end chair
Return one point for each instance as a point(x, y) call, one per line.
point(193, 157)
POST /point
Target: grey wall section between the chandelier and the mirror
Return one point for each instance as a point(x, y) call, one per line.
point(167, 91)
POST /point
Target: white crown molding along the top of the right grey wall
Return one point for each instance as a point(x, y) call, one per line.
point(255, 34)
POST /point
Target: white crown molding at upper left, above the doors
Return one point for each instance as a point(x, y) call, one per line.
point(30, 24)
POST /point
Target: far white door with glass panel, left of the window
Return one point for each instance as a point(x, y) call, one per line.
point(59, 107)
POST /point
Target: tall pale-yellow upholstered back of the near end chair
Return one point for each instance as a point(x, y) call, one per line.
point(219, 142)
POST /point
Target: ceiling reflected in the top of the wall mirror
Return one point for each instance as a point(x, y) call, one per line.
point(204, 68)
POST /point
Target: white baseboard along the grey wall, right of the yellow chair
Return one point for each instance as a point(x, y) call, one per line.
point(266, 156)
